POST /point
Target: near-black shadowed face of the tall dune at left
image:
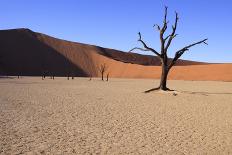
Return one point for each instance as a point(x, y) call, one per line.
point(23, 54)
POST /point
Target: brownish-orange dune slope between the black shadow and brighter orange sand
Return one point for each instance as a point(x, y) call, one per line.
point(79, 54)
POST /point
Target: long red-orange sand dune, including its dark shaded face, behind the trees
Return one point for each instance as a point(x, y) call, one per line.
point(24, 52)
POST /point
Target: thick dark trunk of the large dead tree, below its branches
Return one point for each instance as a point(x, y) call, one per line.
point(164, 75)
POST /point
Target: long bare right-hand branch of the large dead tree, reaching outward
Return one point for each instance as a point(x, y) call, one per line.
point(181, 51)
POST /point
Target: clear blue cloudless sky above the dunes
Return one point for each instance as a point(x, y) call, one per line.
point(115, 23)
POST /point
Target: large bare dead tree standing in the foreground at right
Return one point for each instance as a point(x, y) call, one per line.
point(165, 44)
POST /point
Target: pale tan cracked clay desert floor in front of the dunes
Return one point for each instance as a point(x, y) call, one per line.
point(83, 117)
